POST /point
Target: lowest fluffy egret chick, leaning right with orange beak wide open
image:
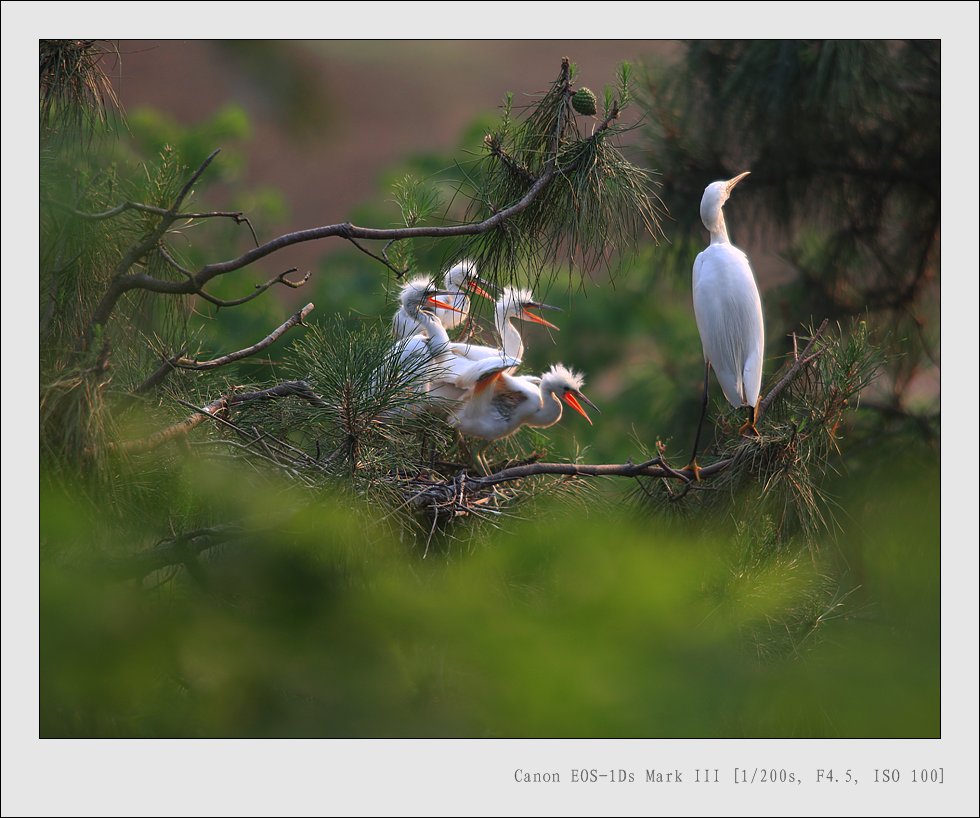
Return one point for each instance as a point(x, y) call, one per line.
point(500, 404)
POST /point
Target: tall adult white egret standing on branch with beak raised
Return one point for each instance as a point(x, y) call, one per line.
point(728, 311)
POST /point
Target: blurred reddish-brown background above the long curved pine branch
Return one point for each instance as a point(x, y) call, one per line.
point(332, 116)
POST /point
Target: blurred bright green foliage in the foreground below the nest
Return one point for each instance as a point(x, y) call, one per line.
point(319, 624)
